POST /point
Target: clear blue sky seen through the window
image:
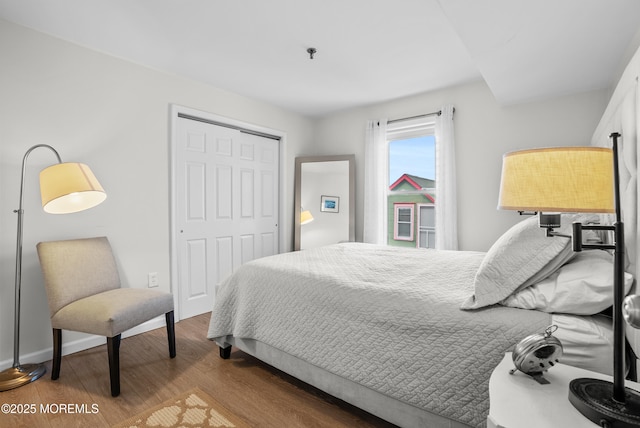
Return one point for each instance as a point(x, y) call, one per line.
point(415, 156)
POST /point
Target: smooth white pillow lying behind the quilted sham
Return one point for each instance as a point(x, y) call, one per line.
point(584, 286)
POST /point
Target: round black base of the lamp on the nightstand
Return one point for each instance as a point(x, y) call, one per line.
point(594, 399)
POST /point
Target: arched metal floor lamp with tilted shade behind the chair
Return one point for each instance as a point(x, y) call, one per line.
point(64, 188)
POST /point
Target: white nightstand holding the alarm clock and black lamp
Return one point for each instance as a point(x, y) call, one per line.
point(518, 401)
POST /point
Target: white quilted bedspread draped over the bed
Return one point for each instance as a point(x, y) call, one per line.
point(385, 317)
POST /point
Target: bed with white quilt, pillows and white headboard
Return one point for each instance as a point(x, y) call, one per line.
point(412, 335)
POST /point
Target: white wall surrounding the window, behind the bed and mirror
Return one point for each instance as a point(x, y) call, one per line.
point(484, 131)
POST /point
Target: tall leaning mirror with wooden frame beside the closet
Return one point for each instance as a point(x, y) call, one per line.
point(324, 201)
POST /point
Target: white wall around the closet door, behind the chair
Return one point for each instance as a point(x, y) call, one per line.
point(114, 116)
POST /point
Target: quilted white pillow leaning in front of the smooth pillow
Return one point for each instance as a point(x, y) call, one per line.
point(522, 256)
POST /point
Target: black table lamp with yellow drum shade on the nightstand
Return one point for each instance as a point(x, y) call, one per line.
point(582, 180)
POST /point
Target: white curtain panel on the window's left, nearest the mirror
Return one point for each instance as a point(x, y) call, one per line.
point(375, 175)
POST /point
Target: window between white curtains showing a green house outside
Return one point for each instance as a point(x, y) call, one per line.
point(411, 178)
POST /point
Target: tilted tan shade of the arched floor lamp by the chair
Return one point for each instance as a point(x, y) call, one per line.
point(69, 187)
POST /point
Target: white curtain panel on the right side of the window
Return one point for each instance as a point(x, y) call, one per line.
point(446, 207)
